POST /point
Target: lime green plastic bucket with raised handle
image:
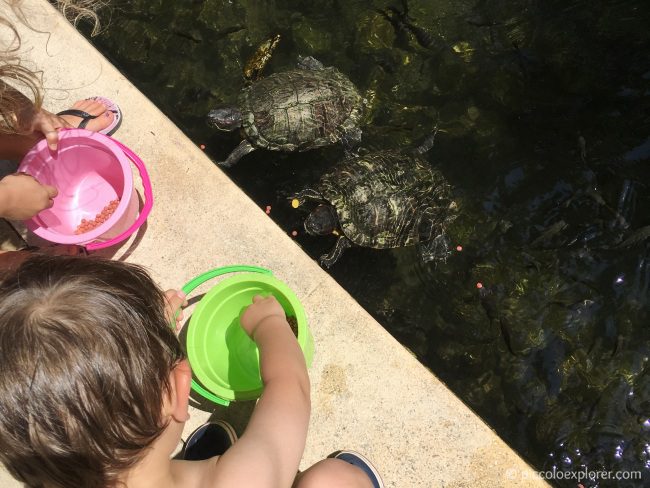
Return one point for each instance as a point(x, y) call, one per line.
point(224, 360)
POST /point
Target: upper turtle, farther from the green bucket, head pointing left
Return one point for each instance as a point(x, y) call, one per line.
point(296, 110)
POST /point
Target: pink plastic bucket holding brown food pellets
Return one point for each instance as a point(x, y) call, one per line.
point(90, 170)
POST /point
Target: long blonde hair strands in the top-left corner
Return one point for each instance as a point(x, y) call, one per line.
point(18, 81)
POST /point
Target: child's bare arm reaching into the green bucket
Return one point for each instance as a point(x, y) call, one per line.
point(268, 453)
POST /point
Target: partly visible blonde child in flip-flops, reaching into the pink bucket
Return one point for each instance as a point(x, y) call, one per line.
point(24, 122)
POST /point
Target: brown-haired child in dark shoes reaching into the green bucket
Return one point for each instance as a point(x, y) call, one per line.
point(94, 388)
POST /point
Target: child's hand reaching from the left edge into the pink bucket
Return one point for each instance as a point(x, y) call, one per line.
point(22, 196)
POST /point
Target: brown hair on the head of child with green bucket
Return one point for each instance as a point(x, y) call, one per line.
point(85, 353)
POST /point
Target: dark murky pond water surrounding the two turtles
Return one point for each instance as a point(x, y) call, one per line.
point(544, 111)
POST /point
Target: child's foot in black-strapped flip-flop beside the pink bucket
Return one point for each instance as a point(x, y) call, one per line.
point(96, 114)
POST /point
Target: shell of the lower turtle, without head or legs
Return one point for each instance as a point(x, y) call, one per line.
point(380, 198)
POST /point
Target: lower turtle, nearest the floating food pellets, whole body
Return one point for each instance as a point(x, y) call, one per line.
point(382, 199)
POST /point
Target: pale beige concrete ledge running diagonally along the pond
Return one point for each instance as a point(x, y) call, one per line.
point(368, 392)
